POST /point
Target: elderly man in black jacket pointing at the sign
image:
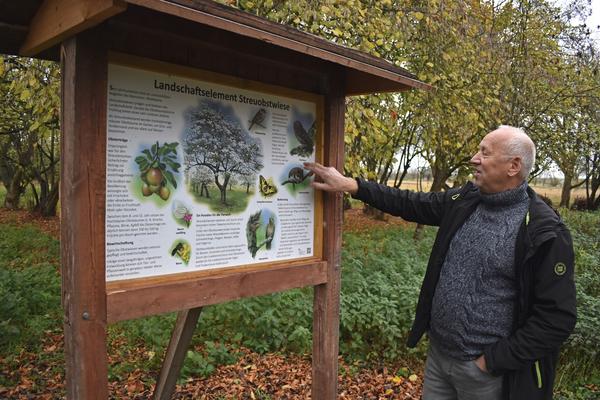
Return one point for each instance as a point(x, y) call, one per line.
point(498, 297)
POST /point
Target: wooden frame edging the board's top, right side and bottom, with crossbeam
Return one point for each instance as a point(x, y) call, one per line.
point(134, 298)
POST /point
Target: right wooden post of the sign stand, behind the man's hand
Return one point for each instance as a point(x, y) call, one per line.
point(326, 306)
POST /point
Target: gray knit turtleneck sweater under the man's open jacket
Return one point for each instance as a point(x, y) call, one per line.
point(474, 300)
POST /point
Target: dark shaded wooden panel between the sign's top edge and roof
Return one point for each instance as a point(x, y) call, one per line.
point(183, 42)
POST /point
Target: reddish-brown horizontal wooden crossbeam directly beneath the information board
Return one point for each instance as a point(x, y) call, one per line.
point(190, 293)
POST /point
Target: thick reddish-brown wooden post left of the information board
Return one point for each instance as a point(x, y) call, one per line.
point(82, 197)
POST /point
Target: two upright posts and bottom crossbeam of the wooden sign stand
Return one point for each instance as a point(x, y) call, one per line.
point(90, 304)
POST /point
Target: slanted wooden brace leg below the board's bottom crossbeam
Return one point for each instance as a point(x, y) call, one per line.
point(178, 346)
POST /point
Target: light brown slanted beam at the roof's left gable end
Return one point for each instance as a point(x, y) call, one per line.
point(57, 20)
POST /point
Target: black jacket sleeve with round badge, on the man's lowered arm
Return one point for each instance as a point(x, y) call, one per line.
point(552, 316)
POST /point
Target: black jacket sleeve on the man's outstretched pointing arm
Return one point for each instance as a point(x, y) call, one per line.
point(422, 207)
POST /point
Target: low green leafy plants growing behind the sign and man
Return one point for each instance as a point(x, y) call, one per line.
point(382, 271)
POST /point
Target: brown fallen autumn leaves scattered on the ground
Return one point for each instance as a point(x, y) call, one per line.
point(41, 374)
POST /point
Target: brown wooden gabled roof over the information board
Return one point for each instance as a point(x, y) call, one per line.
point(36, 27)
